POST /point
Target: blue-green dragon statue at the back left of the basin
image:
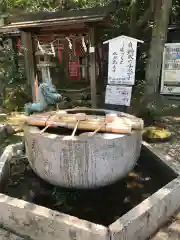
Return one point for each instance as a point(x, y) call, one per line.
point(47, 95)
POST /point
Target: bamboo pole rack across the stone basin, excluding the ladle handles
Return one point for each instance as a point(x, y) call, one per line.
point(124, 124)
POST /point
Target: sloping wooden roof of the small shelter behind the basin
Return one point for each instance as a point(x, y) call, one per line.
point(41, 19)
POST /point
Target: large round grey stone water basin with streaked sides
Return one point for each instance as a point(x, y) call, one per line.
point(82, 161)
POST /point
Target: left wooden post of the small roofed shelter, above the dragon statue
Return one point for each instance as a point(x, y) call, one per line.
point(29, 62)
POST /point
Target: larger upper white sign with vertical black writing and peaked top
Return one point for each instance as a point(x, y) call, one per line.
point(122, 61)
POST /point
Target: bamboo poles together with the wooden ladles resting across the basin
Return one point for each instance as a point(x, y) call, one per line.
point(110, 123)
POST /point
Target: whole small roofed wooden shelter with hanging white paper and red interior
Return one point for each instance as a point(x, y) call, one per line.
point(64, 47)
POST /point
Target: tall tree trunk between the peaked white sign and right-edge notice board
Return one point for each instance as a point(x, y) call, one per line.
point(159, 34)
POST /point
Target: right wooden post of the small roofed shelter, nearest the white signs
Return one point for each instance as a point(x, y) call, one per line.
point(93, 69)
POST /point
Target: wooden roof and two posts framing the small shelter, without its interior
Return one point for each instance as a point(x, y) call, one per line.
point(80, 23)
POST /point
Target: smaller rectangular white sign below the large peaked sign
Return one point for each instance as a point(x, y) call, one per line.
point(118, 95)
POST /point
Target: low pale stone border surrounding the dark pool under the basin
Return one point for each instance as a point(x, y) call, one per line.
point(39, 223)
